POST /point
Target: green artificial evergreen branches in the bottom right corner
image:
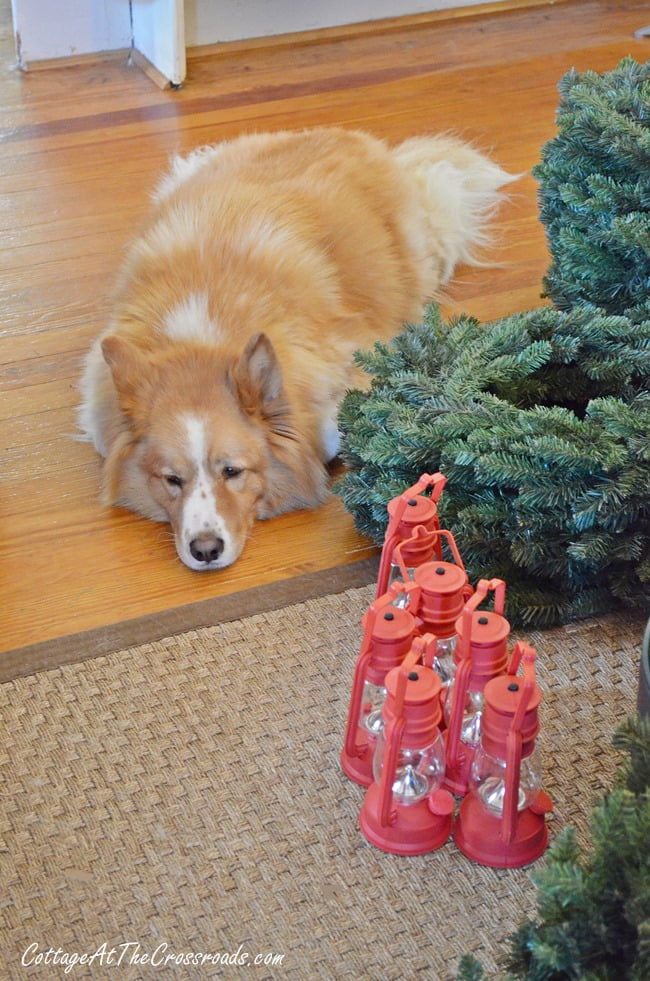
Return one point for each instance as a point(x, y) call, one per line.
point(593, 909)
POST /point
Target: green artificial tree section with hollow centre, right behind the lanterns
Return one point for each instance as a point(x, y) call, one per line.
point(554, 498)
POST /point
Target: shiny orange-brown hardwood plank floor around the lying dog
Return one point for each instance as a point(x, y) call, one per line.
point(82, 147)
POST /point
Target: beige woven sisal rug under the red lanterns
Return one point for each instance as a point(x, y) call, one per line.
point(184, 798)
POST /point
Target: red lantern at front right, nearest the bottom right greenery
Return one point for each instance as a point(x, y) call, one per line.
point(501, 822)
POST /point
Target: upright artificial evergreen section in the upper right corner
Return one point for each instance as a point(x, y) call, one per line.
point(595, 191)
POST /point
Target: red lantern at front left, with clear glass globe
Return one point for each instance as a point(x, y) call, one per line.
point(404, 811)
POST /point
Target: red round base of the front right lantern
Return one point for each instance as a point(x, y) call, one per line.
point(478, 834)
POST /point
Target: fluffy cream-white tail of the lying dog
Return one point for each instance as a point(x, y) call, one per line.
point(457, 190)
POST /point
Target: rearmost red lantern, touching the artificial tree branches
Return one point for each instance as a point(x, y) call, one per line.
point(405, 513)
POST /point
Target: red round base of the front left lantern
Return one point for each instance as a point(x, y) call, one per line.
point(416, 828)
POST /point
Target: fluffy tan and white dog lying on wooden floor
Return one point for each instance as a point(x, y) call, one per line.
point(266, 263)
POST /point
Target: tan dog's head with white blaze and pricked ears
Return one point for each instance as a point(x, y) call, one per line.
point(208, 442)
